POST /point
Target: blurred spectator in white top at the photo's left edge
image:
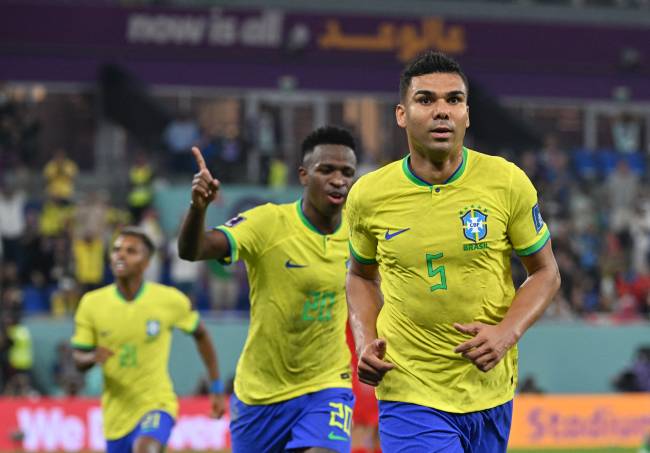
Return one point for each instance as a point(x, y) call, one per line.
point(12, 221)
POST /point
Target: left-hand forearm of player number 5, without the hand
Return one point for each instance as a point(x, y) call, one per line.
point(364, 304)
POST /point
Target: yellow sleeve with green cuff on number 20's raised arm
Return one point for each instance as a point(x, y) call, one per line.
point(248, 232)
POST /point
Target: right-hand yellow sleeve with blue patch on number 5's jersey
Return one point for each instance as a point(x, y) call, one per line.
point(527, 230)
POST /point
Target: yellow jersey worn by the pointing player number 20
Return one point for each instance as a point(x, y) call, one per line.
point(296, 340)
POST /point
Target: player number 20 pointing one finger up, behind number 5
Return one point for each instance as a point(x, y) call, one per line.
point(292, 385)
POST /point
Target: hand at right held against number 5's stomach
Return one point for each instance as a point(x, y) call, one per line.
point(489, 345)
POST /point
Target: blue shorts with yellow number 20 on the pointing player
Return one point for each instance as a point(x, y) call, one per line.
point(320, 419)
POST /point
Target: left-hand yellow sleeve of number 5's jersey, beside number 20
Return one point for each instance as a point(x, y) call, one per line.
point(363, 245)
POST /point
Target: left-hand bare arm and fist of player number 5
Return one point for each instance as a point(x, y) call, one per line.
point(364, 304)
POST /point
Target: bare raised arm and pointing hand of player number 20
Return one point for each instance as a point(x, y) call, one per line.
point(194, 242)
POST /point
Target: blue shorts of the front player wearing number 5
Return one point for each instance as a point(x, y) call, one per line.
point(410, 428)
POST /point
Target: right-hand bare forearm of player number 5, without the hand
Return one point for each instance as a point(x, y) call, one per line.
point(532, 298)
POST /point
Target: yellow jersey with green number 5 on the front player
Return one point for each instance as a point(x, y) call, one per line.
point(444, 253)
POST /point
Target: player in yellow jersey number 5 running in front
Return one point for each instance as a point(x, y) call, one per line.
point(433, 310)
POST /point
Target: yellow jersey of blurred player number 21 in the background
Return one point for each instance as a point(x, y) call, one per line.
point(139, 332)
